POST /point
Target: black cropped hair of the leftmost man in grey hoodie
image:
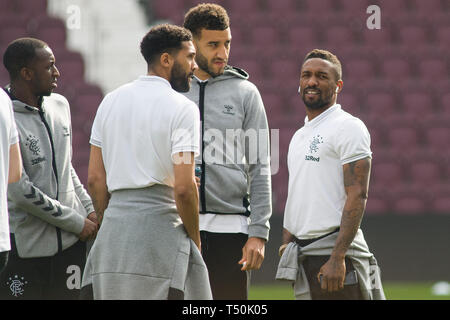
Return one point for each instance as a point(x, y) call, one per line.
point(20, 53)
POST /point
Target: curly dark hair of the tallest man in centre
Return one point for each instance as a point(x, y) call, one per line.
point(207, 16)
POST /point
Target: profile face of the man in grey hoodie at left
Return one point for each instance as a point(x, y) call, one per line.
point(45, 73)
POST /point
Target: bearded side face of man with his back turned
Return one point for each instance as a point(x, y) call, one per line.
point(183, 68)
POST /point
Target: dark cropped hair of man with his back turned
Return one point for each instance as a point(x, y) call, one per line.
point(163, 38)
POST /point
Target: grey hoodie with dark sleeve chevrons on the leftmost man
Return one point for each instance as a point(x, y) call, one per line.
point(48, 205)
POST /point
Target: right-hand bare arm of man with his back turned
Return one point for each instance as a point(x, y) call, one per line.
point(186, 196)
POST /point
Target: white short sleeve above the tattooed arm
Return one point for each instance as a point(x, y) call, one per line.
point(353, 141)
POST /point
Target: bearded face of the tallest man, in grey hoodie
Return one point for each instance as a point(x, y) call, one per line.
point(213, 49)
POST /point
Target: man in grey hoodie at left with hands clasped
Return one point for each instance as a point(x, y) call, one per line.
point(49, 209)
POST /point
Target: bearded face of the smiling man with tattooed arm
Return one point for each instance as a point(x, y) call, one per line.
point(318, 83)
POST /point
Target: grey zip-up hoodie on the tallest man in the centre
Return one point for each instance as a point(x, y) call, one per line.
point(235, 176)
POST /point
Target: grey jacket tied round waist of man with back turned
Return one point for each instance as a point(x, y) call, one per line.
point(142, 250)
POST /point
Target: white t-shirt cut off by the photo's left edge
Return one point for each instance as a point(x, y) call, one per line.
point(8, 136)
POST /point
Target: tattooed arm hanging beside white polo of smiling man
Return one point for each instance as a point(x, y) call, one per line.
point(356, 183)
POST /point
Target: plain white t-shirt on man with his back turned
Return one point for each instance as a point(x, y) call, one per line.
point(139, 127)
